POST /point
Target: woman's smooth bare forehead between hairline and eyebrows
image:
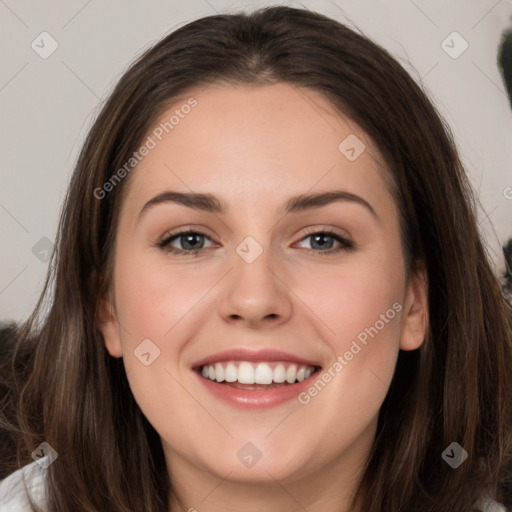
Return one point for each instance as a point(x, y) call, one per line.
point(250, 140)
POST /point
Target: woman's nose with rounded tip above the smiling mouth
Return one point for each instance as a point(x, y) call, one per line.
point(256, 294)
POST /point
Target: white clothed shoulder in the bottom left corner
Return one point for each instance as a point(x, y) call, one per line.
point(17, 487)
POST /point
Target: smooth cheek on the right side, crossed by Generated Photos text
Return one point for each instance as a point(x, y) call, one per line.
point(362, 306)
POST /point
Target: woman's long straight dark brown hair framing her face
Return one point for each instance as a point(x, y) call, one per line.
point(456, 387)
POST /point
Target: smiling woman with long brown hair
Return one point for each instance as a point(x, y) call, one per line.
point(197, 356)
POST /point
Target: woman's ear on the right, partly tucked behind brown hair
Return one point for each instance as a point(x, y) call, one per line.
point(415, 319)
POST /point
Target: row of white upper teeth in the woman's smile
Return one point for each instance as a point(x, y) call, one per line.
point(256, 373)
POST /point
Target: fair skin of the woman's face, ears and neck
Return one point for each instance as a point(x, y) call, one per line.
point(254, 147)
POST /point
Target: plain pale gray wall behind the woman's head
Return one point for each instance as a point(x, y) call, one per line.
point(48, 104)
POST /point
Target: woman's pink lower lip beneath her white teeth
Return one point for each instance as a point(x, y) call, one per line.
point(256, 398)
